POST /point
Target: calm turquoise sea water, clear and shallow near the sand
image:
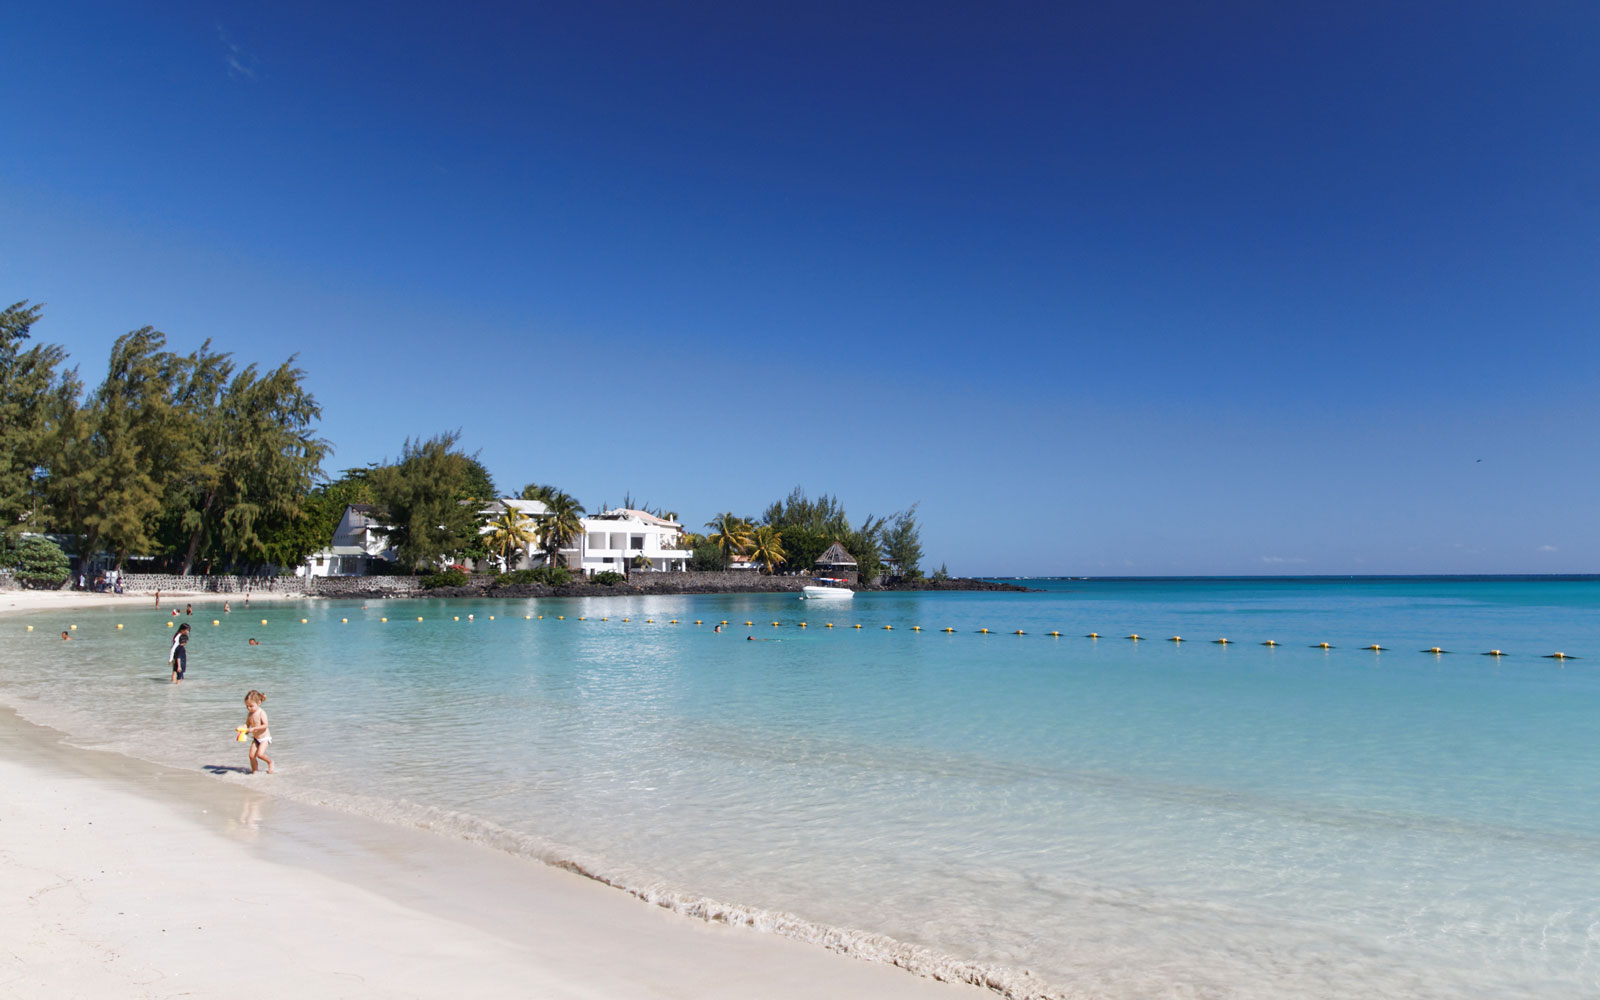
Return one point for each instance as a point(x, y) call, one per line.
point(1119, 818)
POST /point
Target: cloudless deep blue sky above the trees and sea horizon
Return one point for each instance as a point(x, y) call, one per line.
point(1132, 289)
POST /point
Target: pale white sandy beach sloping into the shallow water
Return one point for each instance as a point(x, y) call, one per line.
point(127, 879)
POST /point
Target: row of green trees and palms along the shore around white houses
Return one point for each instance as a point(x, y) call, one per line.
point(201, 465)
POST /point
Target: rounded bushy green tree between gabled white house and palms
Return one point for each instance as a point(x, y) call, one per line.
point(420, 500)
